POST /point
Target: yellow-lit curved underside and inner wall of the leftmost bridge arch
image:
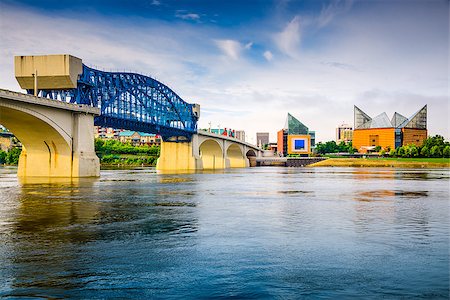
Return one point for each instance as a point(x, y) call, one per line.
point(45, 152)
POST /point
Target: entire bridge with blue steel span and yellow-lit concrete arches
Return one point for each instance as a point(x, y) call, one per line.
point(55, 124)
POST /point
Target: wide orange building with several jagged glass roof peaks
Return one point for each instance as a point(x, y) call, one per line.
point(388, 134)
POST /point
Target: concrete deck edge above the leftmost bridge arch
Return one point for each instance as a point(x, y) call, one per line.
point(10, 95)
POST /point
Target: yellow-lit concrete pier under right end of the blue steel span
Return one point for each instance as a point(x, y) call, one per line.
point(177, 157)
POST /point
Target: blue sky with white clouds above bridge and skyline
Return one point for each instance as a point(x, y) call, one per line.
point(249, 63)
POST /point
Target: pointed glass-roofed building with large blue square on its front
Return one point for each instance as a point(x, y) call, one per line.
point(295, 138)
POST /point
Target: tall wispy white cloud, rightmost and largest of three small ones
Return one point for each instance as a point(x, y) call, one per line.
point(288, 40)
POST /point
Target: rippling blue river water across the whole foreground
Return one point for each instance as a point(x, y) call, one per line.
point(262, 232)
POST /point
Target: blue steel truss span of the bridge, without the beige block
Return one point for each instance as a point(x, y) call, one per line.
point(131, 101)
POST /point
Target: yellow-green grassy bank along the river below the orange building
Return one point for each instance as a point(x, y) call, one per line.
point(385, 162)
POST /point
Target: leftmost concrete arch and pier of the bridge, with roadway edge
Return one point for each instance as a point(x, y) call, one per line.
point(57, 137)
